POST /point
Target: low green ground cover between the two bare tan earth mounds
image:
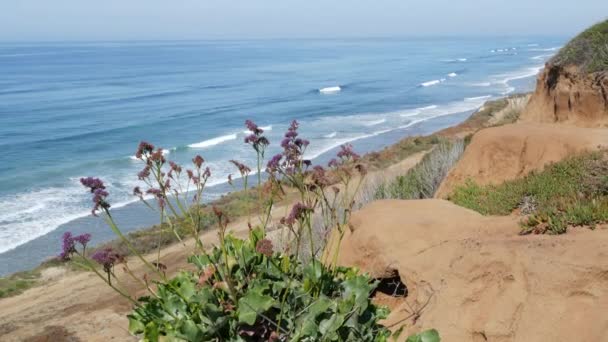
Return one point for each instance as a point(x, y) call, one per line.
point(569, 193)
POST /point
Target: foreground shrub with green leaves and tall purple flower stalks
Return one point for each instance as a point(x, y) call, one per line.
point(244, 290)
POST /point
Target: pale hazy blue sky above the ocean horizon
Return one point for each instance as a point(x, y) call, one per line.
point(200, 19)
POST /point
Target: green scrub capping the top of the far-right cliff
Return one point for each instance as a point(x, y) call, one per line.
point(588, 51)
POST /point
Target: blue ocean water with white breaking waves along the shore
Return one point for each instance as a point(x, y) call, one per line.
point(69, 110)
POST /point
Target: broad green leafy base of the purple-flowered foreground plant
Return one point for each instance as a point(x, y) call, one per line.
point(268, 297)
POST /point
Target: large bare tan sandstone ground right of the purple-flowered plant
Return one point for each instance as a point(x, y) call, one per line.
point(479, 280)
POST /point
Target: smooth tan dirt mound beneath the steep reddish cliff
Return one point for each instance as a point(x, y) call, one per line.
point(507, 152)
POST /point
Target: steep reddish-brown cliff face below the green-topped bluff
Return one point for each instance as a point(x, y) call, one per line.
point(568, 95)
